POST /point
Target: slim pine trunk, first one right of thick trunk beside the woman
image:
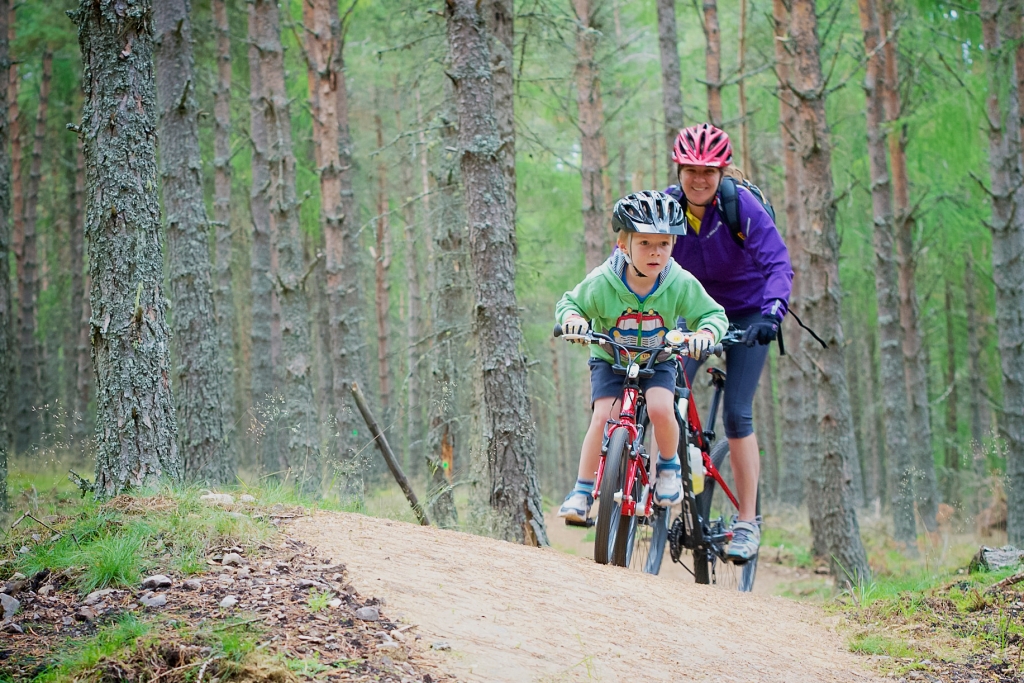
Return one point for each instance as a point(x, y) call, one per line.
point(887, 293)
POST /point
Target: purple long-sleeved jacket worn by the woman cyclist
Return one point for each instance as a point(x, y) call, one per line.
point(757, 277)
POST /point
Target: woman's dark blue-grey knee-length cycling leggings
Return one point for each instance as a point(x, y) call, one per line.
point(743, 369)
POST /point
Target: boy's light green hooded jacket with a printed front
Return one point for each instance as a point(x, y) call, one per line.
point(604, 298)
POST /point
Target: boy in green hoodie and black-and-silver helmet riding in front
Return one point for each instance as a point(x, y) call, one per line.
point(631, 296)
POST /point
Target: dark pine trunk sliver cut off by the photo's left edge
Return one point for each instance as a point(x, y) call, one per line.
point(7, 312)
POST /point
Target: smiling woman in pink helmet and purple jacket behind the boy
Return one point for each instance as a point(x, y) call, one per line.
point(751, 276)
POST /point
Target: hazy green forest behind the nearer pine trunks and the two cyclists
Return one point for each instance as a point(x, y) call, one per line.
point(591, 124)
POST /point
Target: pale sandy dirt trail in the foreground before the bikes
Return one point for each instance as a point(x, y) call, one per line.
point(517, 614)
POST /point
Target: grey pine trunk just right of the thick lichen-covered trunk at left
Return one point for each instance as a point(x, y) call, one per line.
point(201, 397)
